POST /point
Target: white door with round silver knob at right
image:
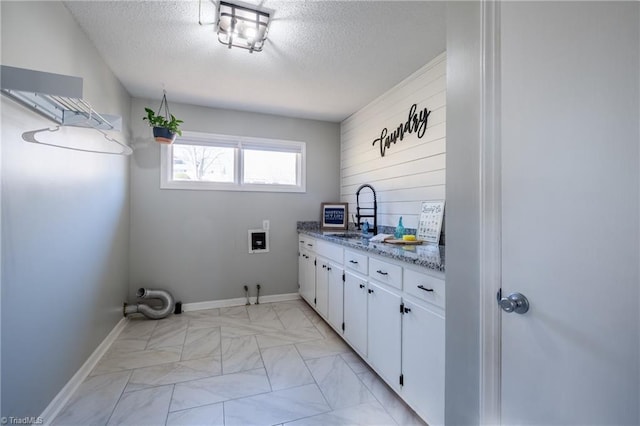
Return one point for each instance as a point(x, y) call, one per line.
point(569, 84)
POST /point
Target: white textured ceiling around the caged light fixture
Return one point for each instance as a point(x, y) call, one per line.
point(323, 60)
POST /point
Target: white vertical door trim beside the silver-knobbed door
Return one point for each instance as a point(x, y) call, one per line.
point(490, 217)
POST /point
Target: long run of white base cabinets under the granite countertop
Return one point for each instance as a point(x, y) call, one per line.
point(390, 312)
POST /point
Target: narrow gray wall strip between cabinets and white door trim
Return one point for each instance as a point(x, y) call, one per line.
point(462, 398)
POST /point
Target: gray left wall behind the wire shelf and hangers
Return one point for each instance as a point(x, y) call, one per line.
point(64, 218)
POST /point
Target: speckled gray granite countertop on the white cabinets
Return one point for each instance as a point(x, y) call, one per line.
point(424, 255)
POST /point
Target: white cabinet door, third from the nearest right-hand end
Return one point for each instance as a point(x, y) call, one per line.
point(355, 312)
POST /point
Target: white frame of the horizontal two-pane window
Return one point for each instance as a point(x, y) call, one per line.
point(239, 143)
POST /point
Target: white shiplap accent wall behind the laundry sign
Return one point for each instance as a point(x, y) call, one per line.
point(412, 170)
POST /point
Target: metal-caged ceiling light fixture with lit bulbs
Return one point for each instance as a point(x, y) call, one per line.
point(242, 26)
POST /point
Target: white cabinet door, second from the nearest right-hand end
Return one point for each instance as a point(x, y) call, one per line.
point(384, 332)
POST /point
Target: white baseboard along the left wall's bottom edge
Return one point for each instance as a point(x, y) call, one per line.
point(54, 407)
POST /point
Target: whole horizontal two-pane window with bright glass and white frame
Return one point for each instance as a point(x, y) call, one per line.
point(215, 162)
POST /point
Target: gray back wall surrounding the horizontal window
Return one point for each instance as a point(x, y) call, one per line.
point(194, 243)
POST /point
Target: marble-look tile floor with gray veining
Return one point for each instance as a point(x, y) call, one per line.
point(268, 364)
